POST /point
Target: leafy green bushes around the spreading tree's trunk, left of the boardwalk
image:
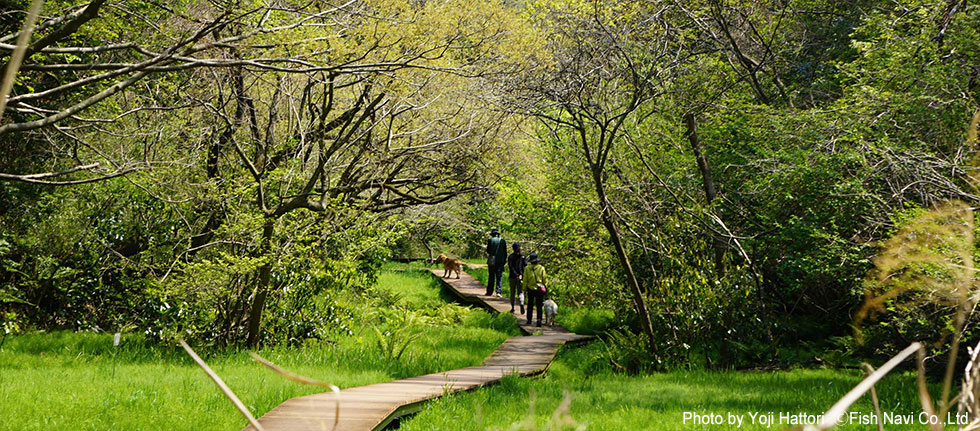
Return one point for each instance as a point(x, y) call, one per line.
point(207, 298)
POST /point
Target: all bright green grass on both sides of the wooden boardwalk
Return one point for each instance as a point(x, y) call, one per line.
point(78, 381)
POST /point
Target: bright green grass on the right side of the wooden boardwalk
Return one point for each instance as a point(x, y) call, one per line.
point(605, 401)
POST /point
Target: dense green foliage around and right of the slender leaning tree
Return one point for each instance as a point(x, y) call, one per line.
point(869, 120)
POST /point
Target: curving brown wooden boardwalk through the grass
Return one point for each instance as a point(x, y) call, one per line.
point(372, 407)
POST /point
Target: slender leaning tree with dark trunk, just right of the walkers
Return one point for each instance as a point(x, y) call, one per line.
point(610, 59)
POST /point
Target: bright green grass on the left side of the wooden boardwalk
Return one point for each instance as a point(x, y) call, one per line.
point(78, 381)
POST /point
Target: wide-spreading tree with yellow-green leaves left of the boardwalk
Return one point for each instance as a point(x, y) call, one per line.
point(374, 138)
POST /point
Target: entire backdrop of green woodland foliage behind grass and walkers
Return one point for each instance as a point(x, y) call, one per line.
point(816, 153)
